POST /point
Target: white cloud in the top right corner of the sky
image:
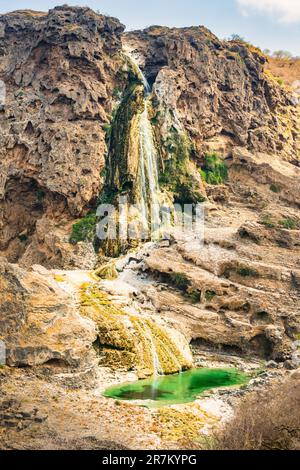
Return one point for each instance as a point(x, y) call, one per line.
point(285, 11)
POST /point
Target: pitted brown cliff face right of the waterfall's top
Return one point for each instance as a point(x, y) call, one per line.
point(216, 89)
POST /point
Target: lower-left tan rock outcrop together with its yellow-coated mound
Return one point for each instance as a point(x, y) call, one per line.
point(67, 319)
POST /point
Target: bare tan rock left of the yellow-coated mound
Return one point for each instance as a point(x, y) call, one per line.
point(39, 322)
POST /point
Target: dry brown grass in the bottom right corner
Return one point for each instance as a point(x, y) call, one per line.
point(265, 420)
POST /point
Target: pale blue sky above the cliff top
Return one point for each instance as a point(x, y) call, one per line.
point(269, 24)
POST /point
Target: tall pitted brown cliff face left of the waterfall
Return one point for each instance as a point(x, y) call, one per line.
point(59, 70)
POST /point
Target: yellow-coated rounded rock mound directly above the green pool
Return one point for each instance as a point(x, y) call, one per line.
point(130, 341)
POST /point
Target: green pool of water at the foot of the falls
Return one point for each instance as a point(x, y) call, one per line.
point(179, 388)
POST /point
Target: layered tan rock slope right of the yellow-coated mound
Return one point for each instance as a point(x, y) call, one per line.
point(223, 299)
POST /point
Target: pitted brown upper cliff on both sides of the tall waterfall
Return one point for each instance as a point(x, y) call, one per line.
point(65, 76)
